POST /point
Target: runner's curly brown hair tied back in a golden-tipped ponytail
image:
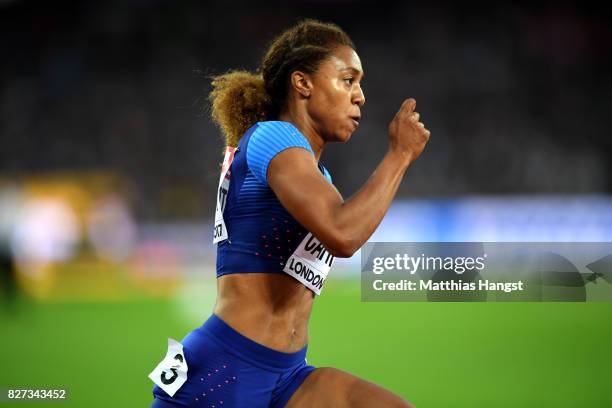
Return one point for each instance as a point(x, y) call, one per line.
point(240, 99)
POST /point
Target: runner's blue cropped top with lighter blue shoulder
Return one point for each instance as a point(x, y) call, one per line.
point(261, 233)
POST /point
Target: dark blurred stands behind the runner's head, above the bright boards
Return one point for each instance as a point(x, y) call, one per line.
point(517, 97)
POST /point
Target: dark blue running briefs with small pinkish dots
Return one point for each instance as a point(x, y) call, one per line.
point(229, 370)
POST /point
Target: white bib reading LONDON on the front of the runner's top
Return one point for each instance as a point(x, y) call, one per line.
point(310, 263)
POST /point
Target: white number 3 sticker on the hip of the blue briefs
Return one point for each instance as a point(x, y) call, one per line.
point(171, 373)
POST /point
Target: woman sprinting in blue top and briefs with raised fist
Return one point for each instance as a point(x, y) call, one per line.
point(279, 224)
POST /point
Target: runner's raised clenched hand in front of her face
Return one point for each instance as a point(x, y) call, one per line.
point(407, 136)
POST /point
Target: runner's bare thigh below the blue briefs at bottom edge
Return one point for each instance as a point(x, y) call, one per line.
point(333, 388)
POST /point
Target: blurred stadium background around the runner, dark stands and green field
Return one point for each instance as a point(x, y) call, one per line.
point(109, 165)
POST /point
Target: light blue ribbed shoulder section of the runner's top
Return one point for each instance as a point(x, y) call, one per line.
point(266, 140)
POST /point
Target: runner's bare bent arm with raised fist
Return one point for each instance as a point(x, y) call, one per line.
point(344, 226)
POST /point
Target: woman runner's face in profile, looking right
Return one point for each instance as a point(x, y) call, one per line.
point(336, 98)
